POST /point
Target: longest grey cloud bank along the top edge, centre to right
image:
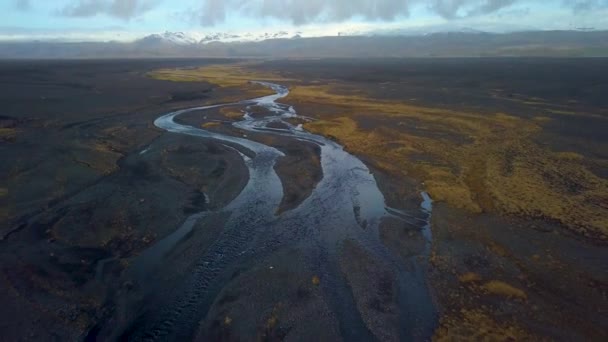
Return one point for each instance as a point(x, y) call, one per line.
point(301, 12)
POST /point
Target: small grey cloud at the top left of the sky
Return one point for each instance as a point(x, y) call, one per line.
point(122, 9)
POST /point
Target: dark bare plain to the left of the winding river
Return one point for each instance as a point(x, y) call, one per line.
point(76, 191)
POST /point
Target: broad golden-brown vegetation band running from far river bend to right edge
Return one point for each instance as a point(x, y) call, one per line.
point(474, 161)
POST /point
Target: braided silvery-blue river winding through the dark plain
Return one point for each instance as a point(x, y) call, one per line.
point(345, 204)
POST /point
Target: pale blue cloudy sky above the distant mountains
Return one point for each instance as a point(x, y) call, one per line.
point(130, 19)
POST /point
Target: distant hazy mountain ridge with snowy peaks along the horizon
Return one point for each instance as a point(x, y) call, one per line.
point(283, 44)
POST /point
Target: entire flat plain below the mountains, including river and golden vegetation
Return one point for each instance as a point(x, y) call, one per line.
point(369, 199)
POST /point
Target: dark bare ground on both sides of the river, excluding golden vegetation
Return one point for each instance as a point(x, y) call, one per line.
point(88, 183)
